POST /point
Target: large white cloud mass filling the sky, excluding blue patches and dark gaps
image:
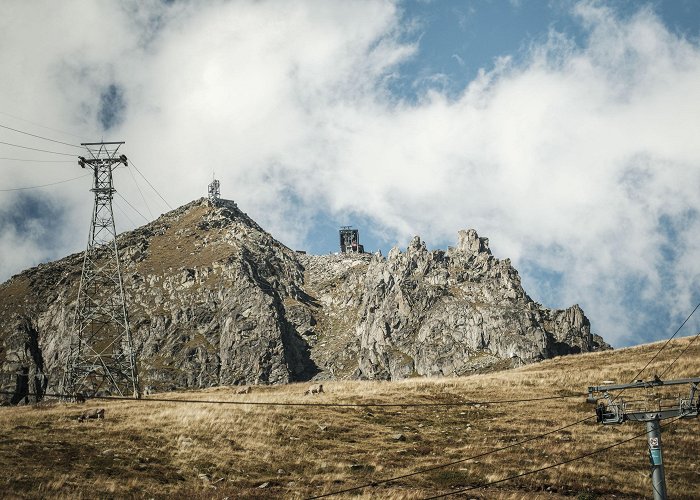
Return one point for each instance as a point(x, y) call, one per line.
point(574, 161)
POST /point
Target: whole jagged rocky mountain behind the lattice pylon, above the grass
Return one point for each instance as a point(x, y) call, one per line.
point(214, 299)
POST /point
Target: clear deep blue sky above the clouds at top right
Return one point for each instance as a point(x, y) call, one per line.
point(457, 38)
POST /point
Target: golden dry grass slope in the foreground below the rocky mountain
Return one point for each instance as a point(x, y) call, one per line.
point(151, 449)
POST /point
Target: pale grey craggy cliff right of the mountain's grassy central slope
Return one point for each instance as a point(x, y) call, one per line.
point(455, 312)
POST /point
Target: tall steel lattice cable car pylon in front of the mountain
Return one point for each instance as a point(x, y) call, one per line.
point(101, 357)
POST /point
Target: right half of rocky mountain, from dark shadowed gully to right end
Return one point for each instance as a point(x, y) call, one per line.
point(432, 313)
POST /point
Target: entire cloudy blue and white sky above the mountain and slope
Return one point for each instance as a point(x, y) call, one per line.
point(566, 132)
